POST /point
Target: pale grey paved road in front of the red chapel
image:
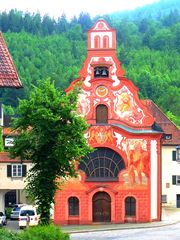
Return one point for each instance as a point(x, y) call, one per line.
point(171, 232)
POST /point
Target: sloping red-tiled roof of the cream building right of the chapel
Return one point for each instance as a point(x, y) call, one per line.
point(171, 132)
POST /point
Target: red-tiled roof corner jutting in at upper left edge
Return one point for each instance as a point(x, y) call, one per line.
point(8, 74)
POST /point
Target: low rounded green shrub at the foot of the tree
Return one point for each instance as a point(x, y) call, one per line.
point(46, 232)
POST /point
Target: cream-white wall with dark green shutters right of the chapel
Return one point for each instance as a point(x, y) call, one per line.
point(169, 168)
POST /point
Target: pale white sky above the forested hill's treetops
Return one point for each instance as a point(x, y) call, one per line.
point(55, 8)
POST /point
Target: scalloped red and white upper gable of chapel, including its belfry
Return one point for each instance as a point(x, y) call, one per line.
point(121, 98)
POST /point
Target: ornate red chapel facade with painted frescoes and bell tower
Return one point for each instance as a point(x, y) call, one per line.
point(120, 181)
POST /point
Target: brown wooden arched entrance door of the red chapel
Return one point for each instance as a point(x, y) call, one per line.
point(101, 207)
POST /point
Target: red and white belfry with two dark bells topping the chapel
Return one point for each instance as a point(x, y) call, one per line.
point(101, 61)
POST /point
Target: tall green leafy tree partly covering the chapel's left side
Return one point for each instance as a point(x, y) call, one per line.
point(51, 136)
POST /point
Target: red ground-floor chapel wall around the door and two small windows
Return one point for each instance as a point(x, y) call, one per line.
point(142, 197)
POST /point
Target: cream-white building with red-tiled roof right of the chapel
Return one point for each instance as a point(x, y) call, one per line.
point(170, 157)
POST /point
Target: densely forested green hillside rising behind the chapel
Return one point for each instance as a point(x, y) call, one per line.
point(149, 49)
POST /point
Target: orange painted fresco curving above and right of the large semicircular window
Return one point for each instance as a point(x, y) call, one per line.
point(135, 150)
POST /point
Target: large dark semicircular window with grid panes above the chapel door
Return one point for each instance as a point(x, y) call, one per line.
point(103, 164)
